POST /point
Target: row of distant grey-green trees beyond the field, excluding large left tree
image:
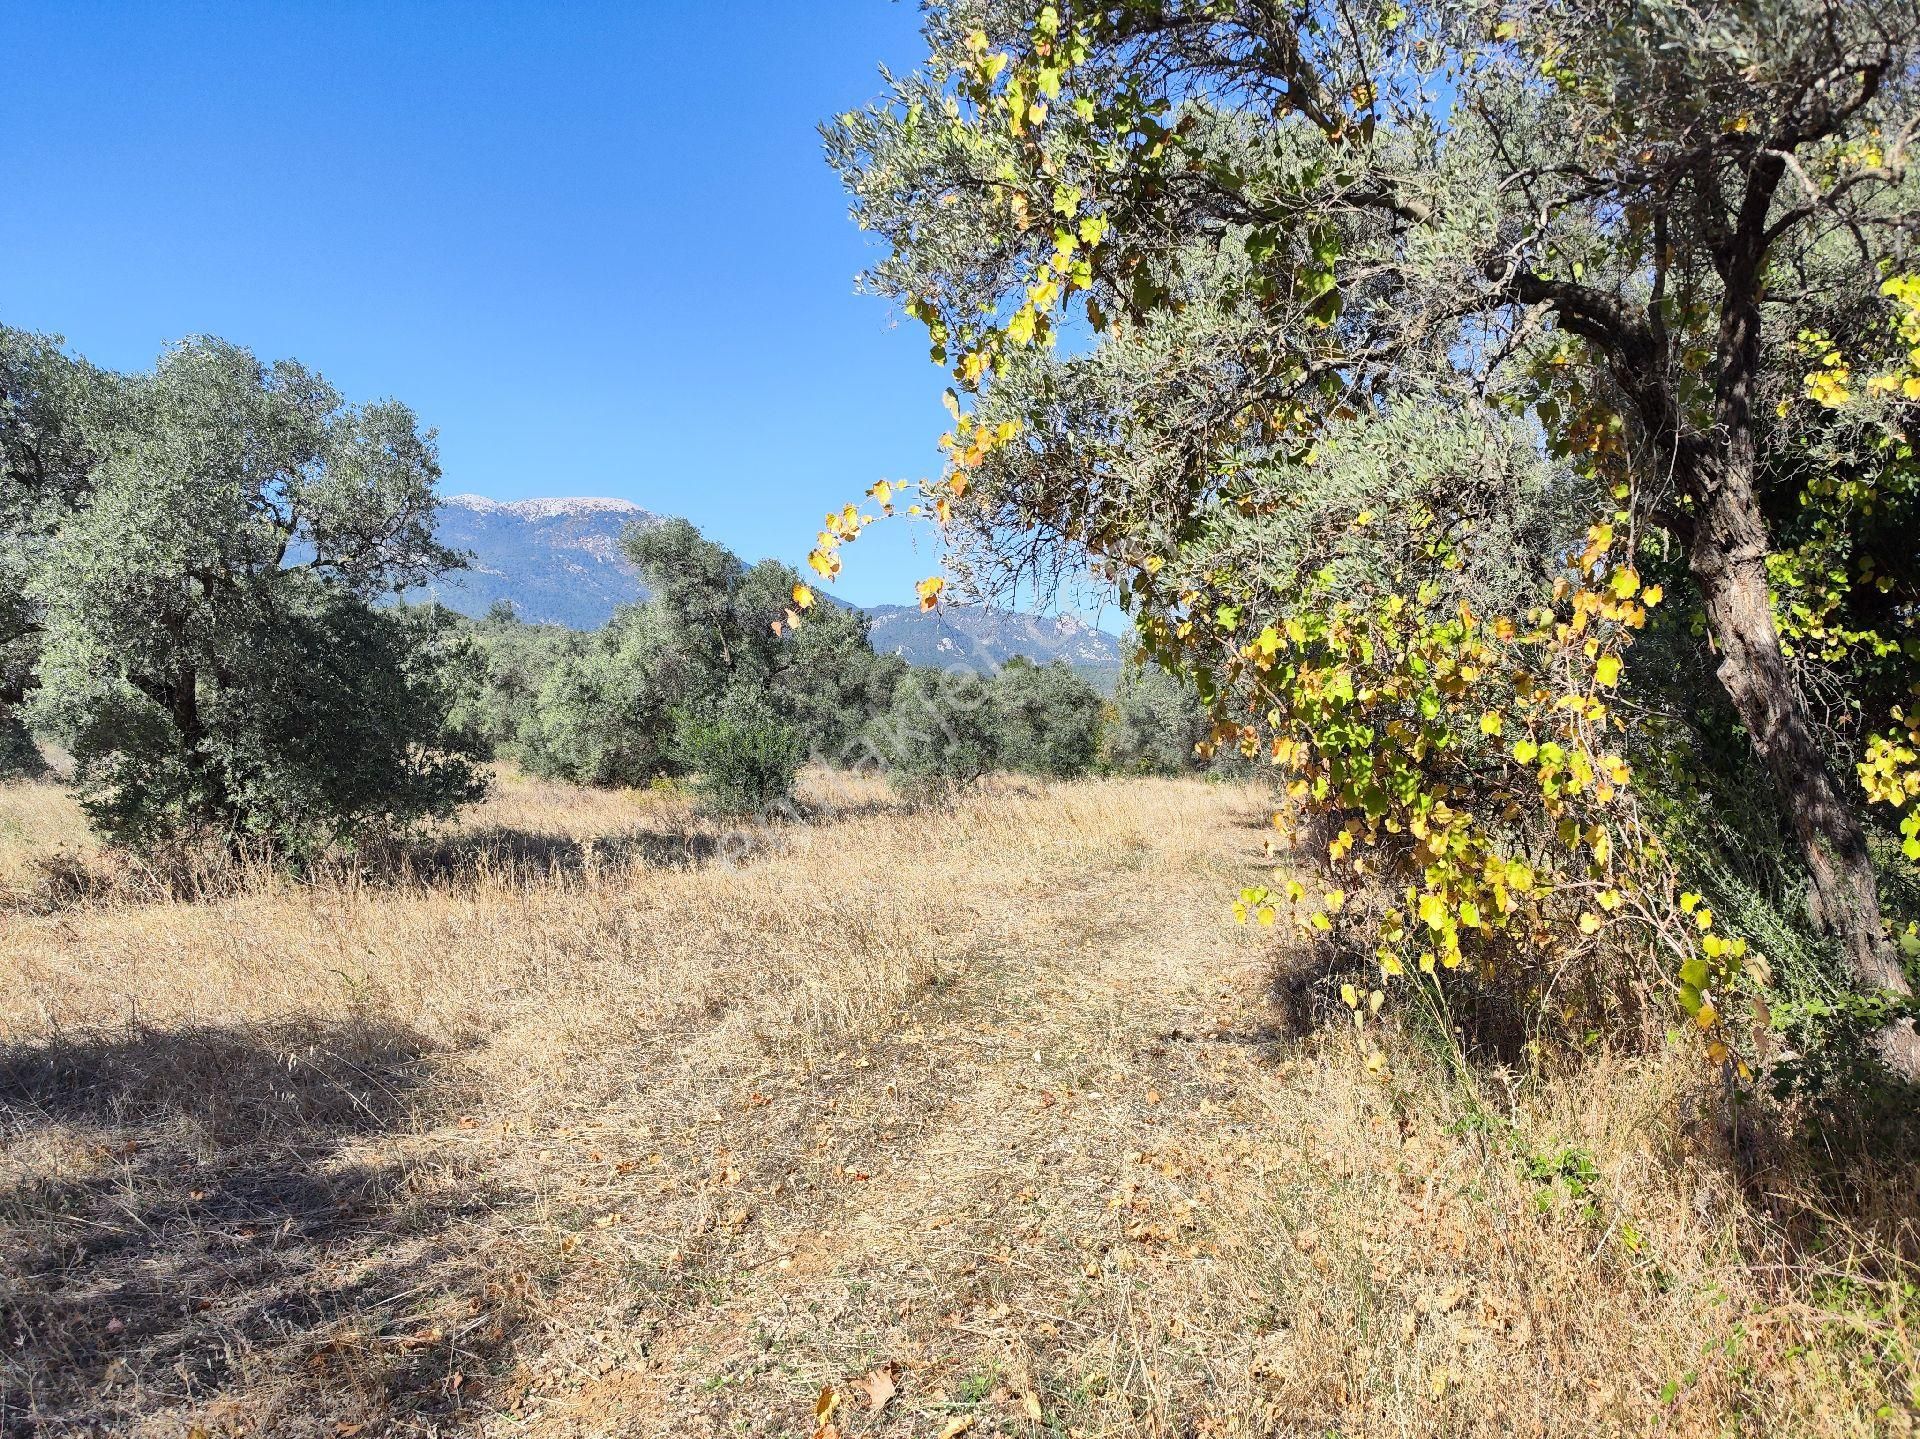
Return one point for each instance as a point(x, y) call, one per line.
point(709, 679)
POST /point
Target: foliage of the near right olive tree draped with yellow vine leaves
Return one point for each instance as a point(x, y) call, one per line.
point(1669, 239)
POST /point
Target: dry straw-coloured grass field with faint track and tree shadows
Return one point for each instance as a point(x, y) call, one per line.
point(596, 1119)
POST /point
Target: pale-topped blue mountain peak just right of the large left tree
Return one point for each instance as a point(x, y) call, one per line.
point(558, 562)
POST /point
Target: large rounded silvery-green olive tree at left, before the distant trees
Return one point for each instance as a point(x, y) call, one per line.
point(210, 645)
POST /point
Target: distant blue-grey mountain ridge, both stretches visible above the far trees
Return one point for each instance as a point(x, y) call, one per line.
point(560, 562)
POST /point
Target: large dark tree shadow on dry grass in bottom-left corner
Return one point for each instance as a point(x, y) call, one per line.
point(222, 1227)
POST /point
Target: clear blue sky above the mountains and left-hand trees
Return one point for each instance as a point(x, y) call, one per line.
point(594, 245)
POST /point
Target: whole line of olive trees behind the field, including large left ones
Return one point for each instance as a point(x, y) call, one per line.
point(201, 575)
